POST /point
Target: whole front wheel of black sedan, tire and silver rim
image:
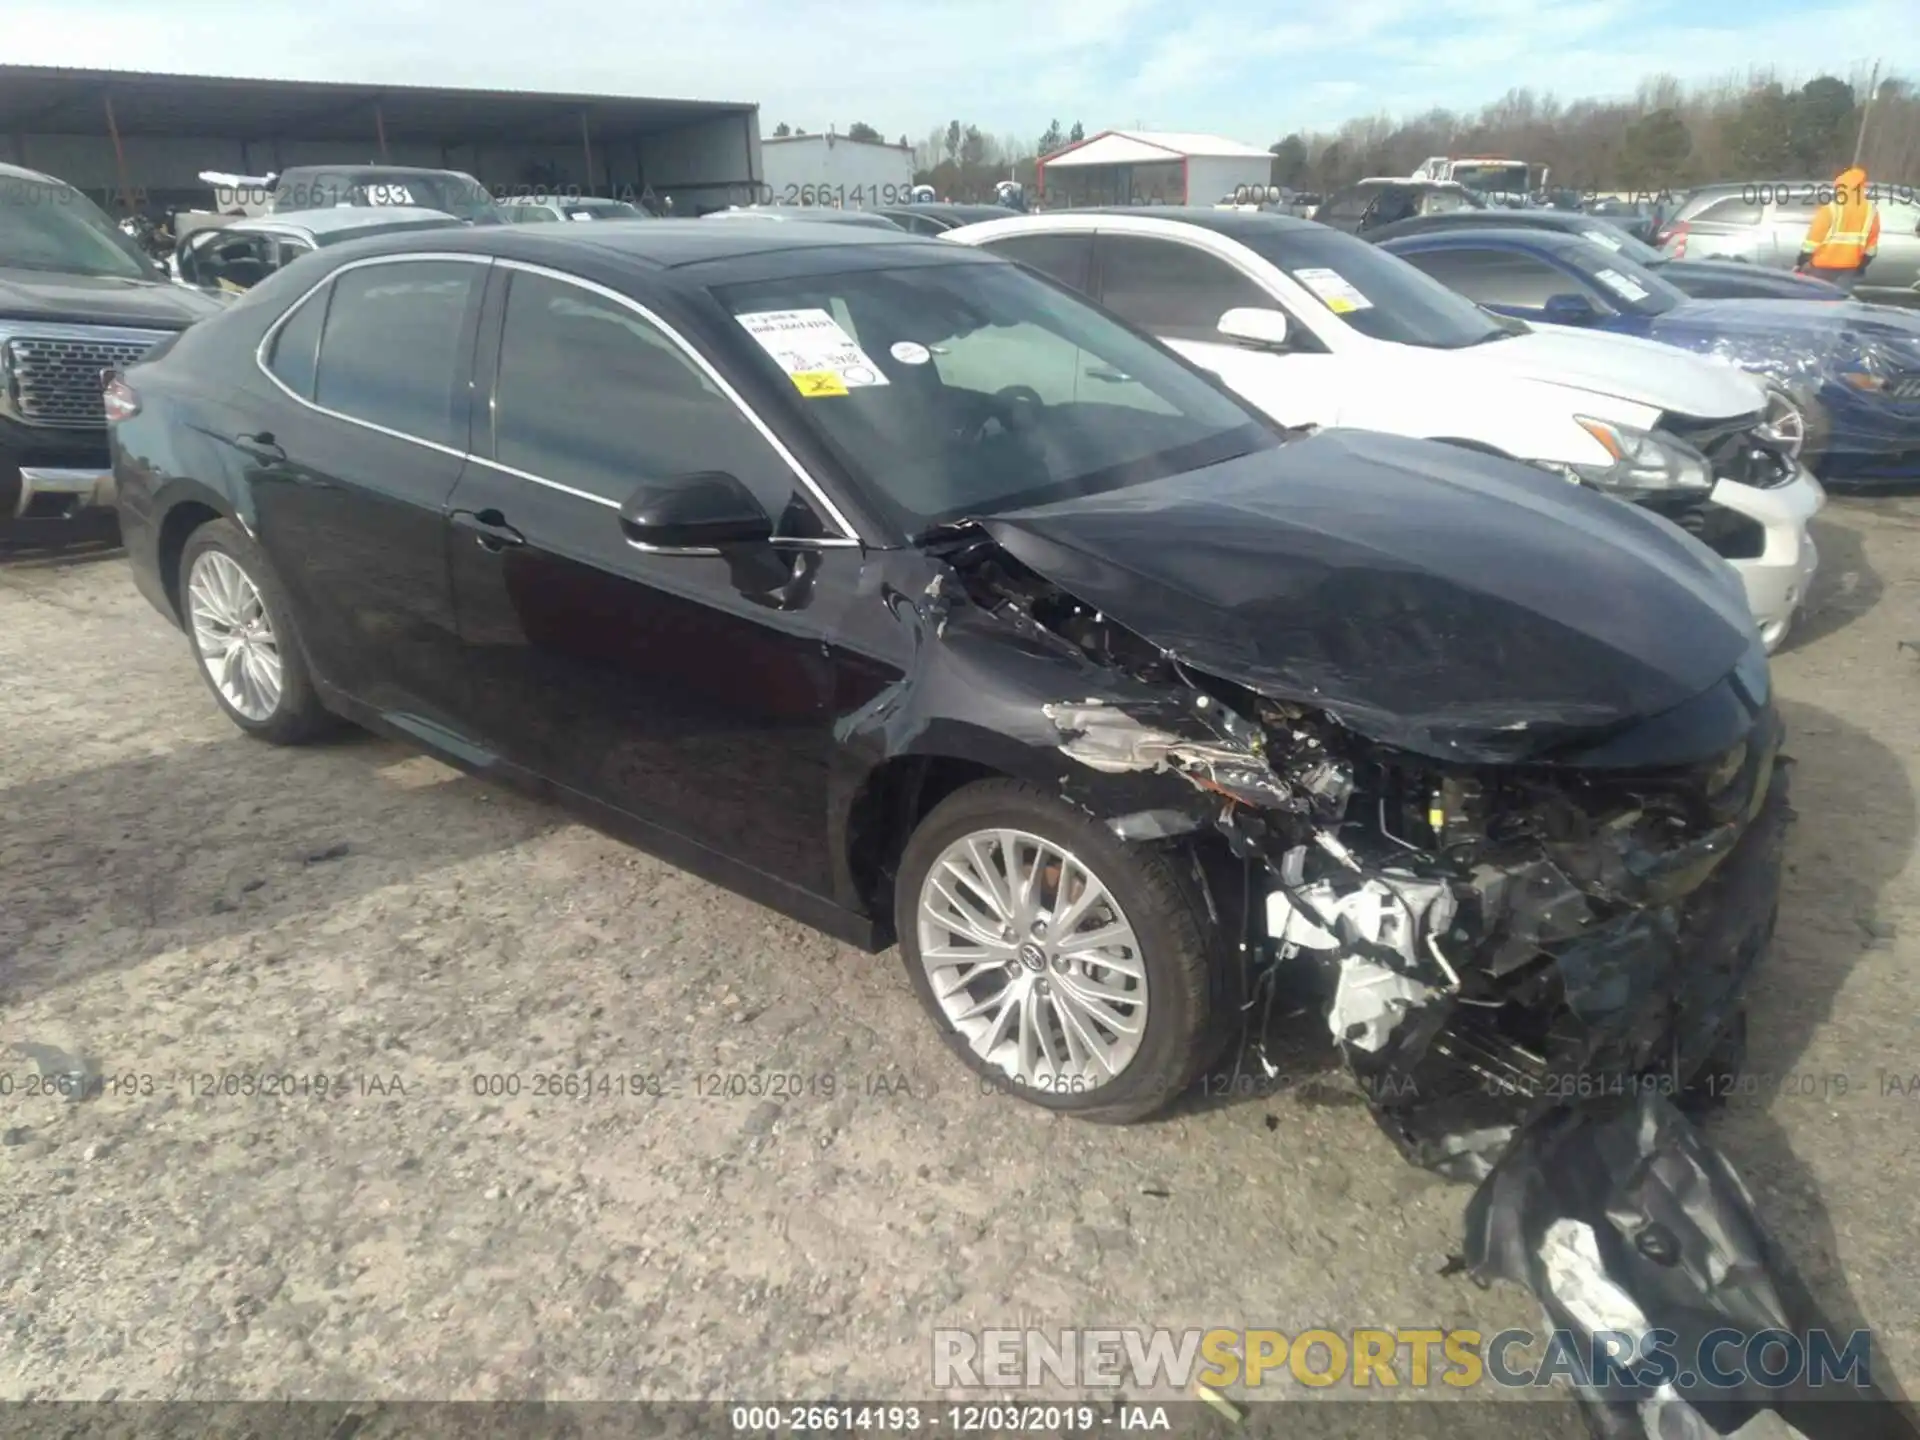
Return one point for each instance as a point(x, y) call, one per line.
point(1061, 963)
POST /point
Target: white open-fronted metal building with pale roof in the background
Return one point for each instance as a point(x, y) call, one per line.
point(1151, 168)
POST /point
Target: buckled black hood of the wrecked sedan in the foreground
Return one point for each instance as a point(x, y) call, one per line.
point(1428, 596)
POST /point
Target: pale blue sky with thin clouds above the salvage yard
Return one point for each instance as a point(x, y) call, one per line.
point(1236, 68)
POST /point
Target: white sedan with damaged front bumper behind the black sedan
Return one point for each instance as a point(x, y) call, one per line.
point(1316, 327)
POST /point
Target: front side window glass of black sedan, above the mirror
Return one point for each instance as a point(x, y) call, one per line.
point(598, 398)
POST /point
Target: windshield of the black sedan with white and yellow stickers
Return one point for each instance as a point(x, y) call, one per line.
point(955, 391)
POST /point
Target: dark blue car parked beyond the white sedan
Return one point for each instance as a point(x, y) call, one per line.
point(1850, 370)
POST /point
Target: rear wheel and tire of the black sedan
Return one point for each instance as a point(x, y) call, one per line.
point(241, 629)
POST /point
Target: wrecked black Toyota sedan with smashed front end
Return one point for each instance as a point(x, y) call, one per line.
point(915, 596)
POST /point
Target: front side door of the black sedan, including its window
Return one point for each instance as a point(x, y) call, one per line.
point(686, 692)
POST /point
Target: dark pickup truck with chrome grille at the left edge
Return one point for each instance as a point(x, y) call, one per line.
point(76, 299)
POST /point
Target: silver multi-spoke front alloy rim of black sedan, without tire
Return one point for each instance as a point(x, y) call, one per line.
point(1034, 961)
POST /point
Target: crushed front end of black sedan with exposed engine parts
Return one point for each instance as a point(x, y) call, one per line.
point(1491, 938)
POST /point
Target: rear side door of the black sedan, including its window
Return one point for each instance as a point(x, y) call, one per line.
point(352, 481)
